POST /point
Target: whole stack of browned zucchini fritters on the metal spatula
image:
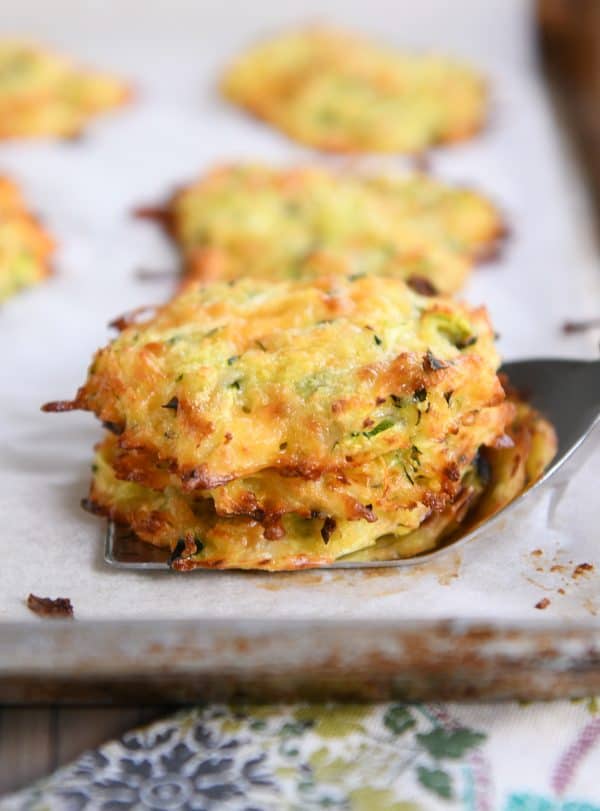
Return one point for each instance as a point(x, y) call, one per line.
point(280, 425)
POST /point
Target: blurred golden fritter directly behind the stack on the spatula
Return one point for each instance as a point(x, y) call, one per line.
point(267, 223)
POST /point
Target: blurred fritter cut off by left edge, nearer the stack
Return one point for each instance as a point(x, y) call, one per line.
point(25, 248)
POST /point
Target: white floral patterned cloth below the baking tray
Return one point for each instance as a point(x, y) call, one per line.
point(384, 757)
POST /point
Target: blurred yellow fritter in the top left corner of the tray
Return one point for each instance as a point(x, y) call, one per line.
point(43, 94)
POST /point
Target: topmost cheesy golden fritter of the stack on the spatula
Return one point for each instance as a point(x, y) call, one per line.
point(306, 378)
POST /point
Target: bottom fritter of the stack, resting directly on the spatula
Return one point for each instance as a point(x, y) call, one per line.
point(198, 538)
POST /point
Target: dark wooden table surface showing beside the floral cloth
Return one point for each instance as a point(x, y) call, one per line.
point(36, 741)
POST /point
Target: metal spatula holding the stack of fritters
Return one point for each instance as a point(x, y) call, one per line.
point(567, 392)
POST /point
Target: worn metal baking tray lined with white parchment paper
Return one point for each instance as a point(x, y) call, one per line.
point(462, 626)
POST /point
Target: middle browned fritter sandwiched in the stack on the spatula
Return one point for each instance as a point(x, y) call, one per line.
point(425, 474)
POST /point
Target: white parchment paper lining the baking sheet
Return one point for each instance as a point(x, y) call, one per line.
point(85, 191)
